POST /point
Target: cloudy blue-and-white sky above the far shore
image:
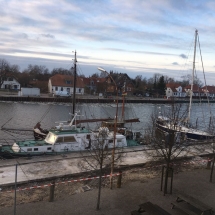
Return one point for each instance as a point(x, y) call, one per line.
point(136, 37)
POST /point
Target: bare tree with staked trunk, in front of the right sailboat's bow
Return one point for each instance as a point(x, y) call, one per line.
point(170, 142)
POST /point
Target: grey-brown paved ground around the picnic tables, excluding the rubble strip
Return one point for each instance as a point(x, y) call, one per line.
point(122, 201)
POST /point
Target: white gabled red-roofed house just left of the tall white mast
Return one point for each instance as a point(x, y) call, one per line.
point(174, 90)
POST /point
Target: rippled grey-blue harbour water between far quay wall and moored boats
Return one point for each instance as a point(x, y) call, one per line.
point(26, 115)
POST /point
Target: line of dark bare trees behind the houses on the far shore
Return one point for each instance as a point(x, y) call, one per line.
point(38, 76)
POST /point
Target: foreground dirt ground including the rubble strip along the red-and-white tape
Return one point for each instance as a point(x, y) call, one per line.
point(138, 185)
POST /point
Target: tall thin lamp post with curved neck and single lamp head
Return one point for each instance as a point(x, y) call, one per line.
point(115, 127)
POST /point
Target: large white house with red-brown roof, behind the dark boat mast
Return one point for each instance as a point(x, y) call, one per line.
point(64, 84)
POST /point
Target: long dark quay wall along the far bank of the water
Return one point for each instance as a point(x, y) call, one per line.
point(96, 100)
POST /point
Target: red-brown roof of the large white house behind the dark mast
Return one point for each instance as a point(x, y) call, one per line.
point(66, 81)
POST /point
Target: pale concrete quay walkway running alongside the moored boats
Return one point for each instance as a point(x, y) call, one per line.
point(47, 166)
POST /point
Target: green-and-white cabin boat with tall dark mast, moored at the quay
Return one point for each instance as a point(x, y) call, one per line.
point(64, 138)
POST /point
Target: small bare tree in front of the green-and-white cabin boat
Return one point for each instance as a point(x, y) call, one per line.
point(100, 156)
